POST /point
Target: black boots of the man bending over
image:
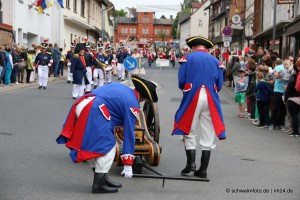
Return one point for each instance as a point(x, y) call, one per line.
point(99, 185)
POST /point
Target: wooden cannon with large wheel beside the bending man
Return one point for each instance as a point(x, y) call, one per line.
point(147, 130)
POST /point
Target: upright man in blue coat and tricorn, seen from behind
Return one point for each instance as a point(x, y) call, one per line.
point(200, 78)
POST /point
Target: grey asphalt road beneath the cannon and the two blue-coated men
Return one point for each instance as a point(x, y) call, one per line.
point(251, 164)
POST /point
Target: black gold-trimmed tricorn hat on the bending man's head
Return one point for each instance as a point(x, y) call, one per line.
point(145, 88)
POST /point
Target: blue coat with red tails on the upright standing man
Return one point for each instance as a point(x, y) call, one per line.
point(197, 69)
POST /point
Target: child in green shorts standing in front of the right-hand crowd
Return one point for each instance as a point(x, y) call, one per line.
point(240, 91)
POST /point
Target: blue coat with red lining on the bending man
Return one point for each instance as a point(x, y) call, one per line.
point(92, 134)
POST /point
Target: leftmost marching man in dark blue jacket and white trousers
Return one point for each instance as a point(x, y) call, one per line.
point(43, 61)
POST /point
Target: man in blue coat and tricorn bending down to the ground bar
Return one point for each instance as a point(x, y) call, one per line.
point(89, 128)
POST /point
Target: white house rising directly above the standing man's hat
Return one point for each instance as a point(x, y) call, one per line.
point(199, 19)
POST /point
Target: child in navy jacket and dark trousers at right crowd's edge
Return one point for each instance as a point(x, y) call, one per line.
point(263, 97)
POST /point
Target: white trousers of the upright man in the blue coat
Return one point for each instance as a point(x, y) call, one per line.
point(202, 126)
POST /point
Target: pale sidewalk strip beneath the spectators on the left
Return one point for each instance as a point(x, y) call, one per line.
point(20, 86)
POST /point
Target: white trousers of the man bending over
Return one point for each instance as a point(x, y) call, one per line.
point(101, 164)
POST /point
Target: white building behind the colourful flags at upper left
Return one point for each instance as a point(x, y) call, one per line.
point(30, 27)
